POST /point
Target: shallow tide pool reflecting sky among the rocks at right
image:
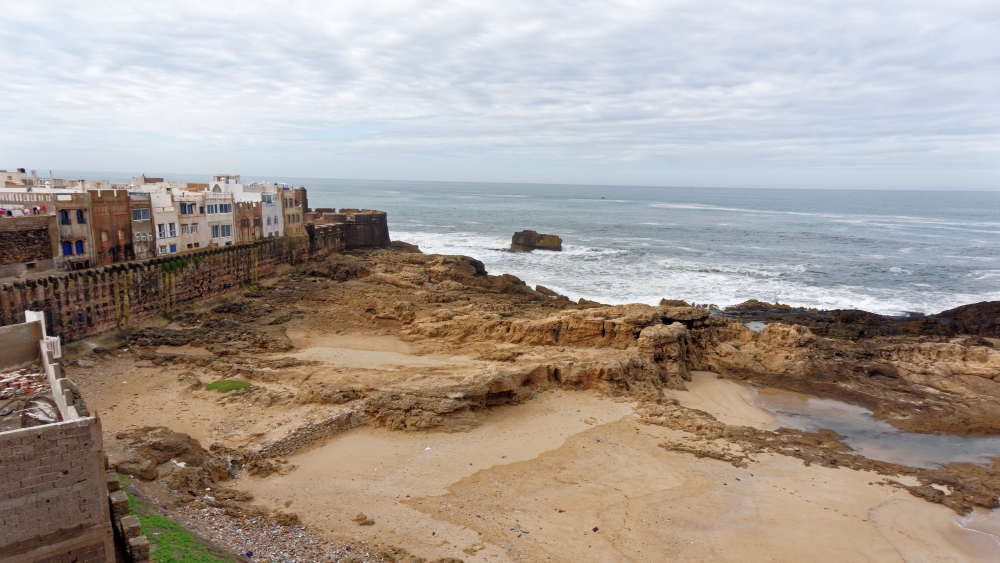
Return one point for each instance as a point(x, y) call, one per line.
point(875, 439)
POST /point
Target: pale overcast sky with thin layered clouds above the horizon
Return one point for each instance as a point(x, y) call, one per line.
point(828, 94)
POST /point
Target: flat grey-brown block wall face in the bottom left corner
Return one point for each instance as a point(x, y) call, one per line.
point(53, 495)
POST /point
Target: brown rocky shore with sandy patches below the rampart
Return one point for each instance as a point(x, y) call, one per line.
point(354, 375)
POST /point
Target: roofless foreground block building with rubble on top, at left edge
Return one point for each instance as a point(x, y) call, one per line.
point(55, 501)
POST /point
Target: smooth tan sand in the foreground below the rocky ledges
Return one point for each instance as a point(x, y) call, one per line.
point(574, 462)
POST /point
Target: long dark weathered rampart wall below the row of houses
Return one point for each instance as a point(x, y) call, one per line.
point(93, 301)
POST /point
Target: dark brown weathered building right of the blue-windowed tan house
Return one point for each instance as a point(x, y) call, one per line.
point(112, 226)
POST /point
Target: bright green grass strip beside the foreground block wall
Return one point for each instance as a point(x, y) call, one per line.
point(168, 540)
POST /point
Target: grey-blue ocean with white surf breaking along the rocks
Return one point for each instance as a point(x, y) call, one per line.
point(886, 252)
